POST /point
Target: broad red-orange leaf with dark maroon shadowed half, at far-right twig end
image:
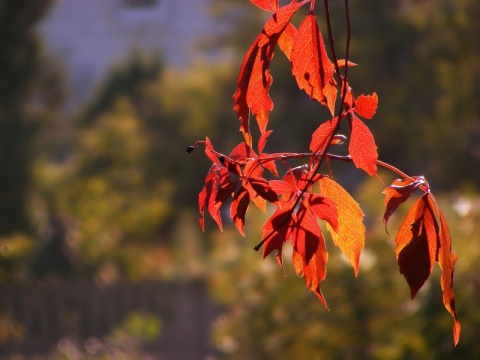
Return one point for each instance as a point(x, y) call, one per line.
point(417, 244)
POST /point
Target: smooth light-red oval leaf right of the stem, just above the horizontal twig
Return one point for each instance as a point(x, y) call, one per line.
point(362, 148)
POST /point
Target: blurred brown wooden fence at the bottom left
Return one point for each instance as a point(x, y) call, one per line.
point(35, 319)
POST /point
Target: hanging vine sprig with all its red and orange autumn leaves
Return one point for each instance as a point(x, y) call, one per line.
point(305, 195)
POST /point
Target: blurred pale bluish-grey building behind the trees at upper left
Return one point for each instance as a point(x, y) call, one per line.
point(91, 36)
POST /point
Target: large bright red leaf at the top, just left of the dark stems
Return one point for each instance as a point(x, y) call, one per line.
point(310, 64)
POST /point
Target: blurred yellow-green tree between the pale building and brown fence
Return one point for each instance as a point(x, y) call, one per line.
point(125, 184)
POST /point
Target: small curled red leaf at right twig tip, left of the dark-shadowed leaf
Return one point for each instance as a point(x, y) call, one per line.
point(398, 192)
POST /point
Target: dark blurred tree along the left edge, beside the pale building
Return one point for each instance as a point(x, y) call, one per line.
point(20, 64)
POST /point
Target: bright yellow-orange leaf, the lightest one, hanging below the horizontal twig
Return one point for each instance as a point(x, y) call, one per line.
point(350, 237)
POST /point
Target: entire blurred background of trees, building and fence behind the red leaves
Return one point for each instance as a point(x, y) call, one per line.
point(101, 255)
